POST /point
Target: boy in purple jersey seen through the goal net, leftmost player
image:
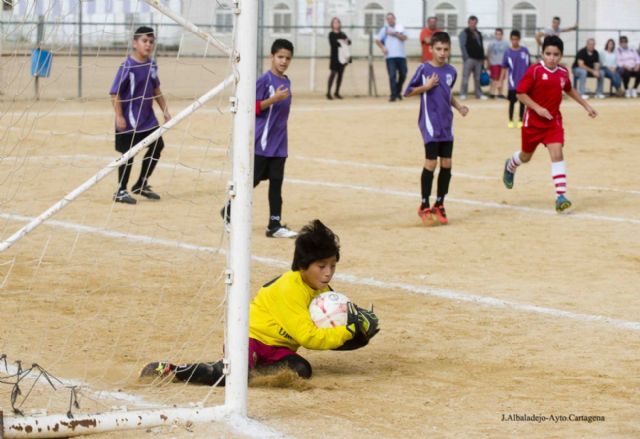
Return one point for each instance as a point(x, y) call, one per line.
point(134, 89)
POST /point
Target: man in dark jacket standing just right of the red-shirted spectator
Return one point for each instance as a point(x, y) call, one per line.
point(472, 56)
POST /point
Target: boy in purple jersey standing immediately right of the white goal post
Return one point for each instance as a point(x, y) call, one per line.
point(273, 102)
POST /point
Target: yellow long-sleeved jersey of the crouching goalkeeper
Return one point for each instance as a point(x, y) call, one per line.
point(279, 316)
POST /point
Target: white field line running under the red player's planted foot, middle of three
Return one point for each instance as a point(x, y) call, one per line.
point(389, 192)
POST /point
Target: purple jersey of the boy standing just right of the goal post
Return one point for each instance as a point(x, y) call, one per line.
point(271, 123)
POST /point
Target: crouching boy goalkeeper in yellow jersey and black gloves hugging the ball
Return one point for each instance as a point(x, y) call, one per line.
point(279, 320)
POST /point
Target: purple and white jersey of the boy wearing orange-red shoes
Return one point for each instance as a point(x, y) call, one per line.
point(436, 118)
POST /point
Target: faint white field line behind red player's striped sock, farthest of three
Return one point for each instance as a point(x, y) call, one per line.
point(333, 162)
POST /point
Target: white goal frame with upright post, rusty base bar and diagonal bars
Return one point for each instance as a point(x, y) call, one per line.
point(237, 278)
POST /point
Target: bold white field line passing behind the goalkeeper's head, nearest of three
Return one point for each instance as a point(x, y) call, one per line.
point(348, 278)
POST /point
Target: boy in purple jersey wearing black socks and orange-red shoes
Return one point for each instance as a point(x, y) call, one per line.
point(433, 81)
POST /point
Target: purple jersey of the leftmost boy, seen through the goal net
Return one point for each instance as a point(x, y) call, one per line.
point(134, 85)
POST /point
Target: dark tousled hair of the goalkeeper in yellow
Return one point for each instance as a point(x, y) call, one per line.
point(315, 241)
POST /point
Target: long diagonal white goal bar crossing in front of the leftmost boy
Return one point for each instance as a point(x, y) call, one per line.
point(57, 207)
